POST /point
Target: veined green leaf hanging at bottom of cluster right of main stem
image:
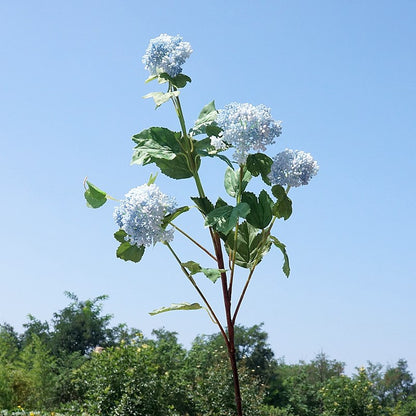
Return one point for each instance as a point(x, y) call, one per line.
point(249, 247)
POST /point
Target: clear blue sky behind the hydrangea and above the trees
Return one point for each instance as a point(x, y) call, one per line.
point(340, 74)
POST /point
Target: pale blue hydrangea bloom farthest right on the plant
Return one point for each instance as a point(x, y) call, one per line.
point(293, 168)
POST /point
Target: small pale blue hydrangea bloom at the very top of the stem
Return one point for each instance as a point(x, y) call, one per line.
point(166, 54)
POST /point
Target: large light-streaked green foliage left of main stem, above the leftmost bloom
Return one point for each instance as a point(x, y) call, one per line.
point(161, 146)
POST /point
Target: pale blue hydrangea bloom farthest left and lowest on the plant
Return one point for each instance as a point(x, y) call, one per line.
point(141, 214)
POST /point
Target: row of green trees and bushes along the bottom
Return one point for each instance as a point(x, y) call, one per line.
point(78, 363)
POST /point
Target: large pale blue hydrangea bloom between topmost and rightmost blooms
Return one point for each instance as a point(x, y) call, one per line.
point(247, 128)
